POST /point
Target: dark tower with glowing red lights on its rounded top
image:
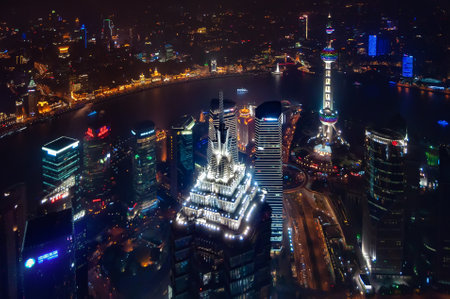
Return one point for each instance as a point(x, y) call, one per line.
point(96, 173)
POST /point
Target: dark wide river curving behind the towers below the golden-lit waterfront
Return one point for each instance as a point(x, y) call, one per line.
point(374, 102)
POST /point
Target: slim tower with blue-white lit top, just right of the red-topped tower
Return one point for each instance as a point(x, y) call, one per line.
point(144, 164)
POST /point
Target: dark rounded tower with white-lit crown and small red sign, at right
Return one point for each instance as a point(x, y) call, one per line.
point(383, 224)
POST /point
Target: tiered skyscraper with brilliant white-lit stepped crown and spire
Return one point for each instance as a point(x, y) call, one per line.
point(221, 235)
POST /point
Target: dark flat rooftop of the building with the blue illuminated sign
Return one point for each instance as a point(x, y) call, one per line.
point(50, 227)
